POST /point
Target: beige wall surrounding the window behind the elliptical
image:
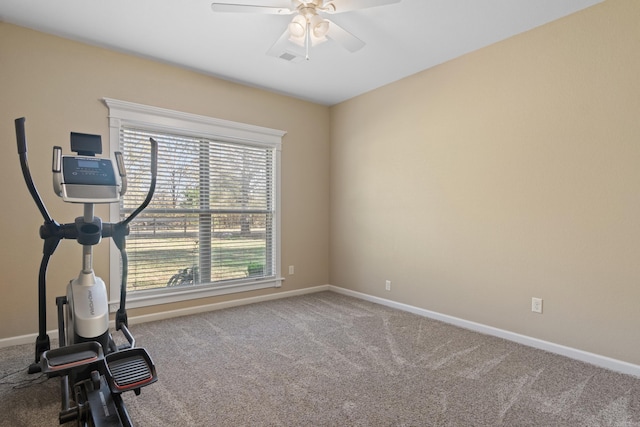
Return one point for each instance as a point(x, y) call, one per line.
point(58, 84)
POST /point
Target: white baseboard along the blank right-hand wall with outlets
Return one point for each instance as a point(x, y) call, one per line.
point(583, 356)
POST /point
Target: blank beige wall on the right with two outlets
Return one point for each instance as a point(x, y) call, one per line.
point(509, 173)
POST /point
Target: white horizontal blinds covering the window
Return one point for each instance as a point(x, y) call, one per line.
point(211, 220)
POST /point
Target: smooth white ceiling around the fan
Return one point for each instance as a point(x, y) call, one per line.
point(401, 39)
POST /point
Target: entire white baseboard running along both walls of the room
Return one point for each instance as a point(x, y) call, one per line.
point(592, 358)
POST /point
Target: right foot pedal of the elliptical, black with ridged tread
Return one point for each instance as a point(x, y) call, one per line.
point(130, 369)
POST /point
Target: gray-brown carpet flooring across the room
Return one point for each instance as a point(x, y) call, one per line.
point(330, 360)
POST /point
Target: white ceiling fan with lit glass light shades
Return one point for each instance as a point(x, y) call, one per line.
point(308, 27)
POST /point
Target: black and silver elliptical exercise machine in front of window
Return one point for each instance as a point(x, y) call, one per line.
point(94, 371)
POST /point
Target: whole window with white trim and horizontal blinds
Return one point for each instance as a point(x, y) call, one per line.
point(212, 226)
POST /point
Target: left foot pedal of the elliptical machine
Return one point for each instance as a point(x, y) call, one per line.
point(61, 360)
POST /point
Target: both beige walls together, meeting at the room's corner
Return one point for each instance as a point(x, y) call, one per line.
point(509, 173)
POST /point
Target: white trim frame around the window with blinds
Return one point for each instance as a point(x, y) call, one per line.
point(124, 113)
